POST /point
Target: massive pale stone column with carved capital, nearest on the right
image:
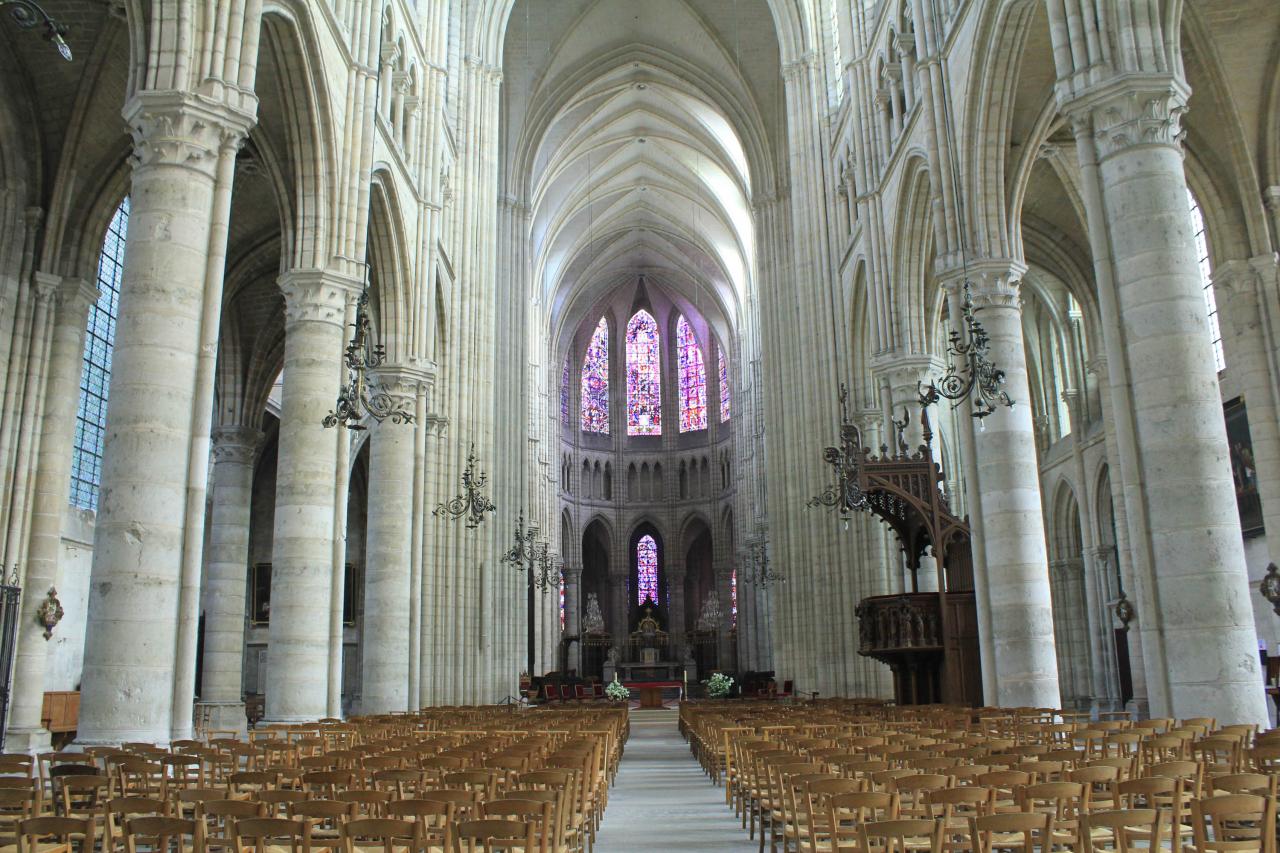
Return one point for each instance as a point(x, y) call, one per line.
point(1199, 632)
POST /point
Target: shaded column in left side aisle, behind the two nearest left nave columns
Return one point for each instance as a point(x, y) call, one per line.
point(226, 576)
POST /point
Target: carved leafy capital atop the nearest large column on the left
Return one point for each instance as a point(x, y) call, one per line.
point(184, 130)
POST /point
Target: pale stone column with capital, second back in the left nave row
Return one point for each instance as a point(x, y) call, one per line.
point(298, 659)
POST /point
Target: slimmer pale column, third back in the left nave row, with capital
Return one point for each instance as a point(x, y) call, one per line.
point(385, 645)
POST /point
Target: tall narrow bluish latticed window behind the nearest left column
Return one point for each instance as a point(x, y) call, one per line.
point(97, 371)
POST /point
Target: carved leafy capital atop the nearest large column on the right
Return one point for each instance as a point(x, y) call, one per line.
point(1133, 111)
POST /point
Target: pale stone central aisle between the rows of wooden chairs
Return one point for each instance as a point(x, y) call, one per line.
point(662, 800)
